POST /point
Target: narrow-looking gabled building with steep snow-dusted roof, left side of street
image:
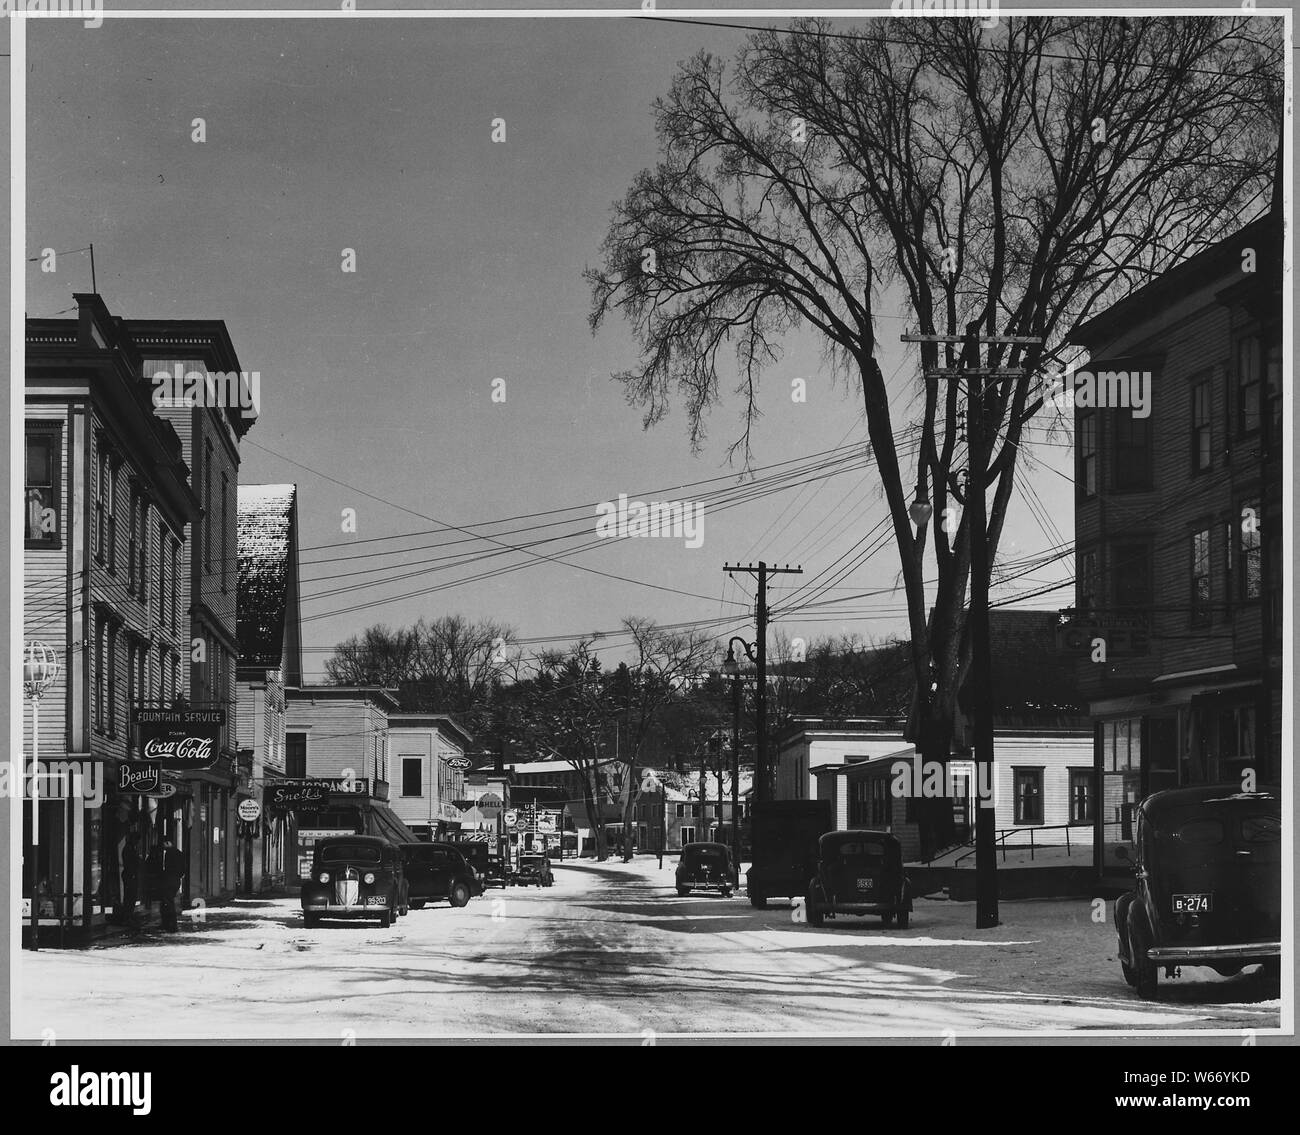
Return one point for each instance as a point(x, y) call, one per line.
point(271, 657)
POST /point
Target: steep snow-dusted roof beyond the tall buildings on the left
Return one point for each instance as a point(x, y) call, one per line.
point(268, 569)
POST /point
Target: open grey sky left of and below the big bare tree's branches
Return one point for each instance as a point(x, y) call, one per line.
point(376, 136)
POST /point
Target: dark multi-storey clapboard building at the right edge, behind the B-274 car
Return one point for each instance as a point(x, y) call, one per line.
point(1177, 623)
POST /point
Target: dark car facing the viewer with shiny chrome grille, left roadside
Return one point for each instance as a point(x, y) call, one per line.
point(356, 877)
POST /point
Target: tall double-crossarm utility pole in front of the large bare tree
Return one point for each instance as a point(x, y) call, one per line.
point(981, 678)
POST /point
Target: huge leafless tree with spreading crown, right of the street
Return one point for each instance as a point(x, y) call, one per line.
point(1007, 183)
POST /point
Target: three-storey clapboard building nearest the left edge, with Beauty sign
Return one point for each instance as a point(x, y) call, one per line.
point(110, 508)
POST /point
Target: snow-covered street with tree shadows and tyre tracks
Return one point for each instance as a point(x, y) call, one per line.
point(613, 950)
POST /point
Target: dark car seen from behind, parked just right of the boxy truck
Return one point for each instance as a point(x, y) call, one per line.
point(859, 873)
